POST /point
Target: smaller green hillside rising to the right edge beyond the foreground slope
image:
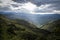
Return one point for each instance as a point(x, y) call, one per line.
point(52, 25)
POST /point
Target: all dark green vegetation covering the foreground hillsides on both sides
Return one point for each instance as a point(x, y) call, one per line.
point(22, 30)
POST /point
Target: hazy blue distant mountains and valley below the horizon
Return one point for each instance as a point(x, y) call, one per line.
point(37, 19)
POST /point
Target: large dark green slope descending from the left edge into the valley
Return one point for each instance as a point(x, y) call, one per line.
point(19, 30)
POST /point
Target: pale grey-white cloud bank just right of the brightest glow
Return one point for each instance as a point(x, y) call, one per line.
point(44, 8)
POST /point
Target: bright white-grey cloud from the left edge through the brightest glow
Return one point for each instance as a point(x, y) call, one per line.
point(17, 7)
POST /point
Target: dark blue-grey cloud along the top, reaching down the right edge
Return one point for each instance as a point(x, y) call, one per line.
point(55, 3)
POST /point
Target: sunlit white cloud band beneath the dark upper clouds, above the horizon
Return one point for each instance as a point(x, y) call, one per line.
point(28, 7)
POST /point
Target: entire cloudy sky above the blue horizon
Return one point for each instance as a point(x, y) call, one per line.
point(31, 6)
